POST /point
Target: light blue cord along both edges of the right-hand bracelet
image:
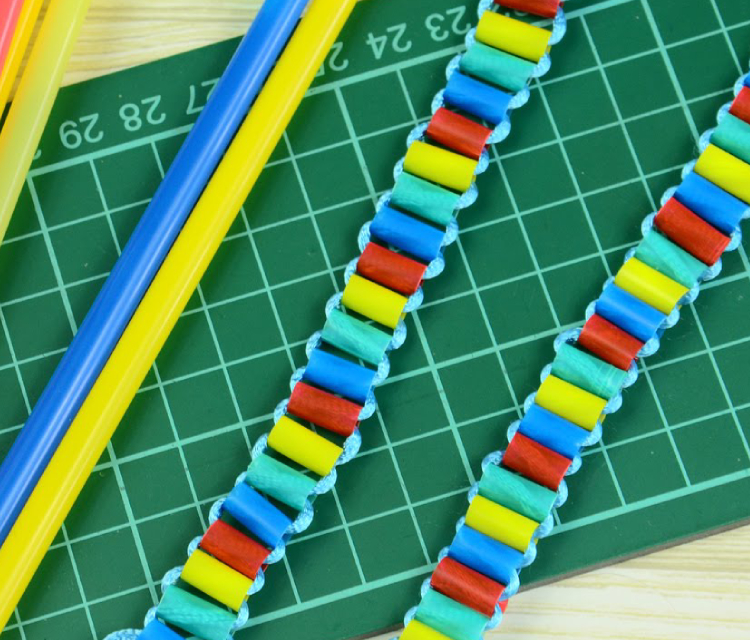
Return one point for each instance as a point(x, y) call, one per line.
point(495, 458)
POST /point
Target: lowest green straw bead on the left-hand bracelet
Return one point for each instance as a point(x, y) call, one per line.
point(195, 615)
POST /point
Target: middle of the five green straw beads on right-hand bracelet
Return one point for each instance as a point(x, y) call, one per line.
point(587, 372)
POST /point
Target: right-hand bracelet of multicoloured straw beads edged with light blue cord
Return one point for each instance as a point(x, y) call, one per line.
point(510, 508)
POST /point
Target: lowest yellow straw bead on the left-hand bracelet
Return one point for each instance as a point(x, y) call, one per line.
point(216, 580)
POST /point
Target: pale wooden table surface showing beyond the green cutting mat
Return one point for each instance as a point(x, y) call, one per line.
point(699, 590)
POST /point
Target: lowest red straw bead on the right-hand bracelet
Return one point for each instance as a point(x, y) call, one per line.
point(464, 585)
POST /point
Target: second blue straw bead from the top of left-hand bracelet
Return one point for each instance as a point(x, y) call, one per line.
point(407, 234)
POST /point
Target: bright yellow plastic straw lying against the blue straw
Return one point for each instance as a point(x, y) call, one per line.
point(166, 298)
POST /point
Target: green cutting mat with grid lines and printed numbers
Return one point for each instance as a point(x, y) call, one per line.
point(631, 87)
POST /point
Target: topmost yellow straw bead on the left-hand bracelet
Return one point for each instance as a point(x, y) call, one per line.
point(513, 36)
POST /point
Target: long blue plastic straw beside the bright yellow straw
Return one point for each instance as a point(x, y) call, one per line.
point(143, 255)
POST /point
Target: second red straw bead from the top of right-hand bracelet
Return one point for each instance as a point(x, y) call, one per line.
point(691, 232)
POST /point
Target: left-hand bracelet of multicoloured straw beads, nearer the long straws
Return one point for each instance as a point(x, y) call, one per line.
point(402, 246)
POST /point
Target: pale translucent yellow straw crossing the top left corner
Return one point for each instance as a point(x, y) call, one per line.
point(31, 107)
